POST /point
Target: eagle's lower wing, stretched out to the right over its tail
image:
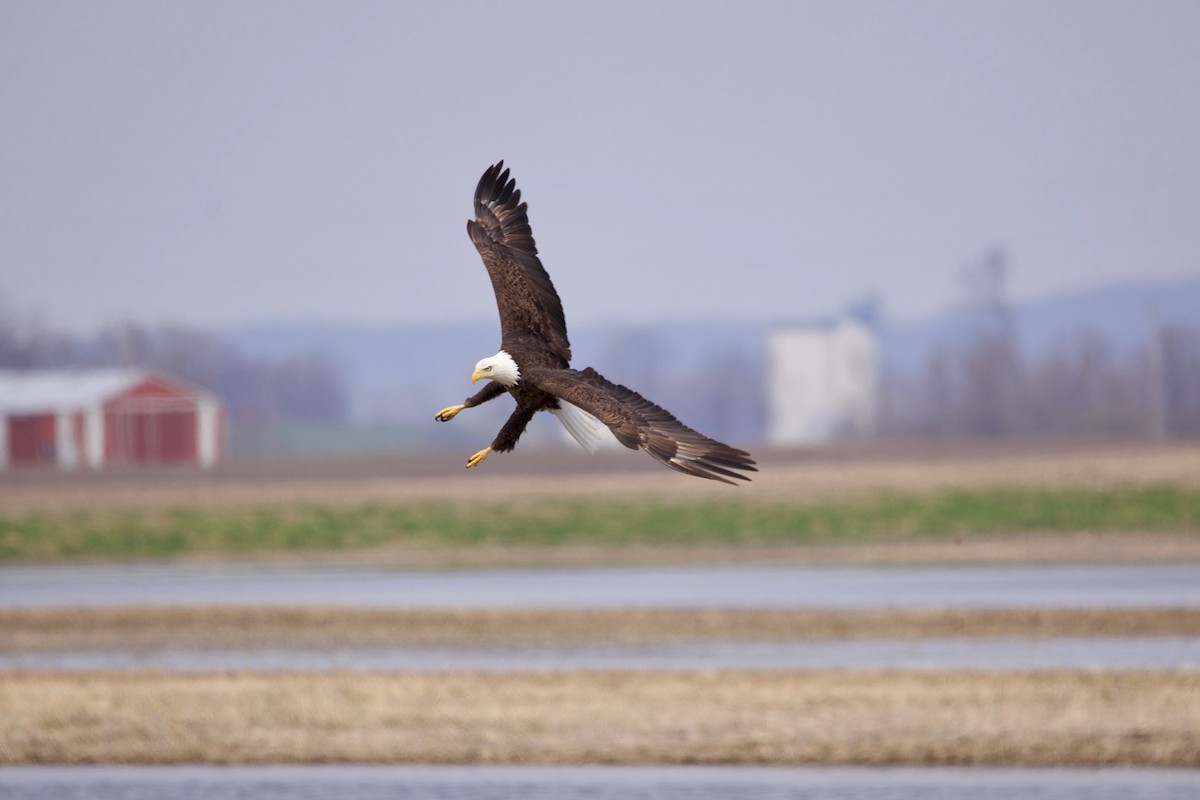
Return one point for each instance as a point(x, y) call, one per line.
point(638, 423)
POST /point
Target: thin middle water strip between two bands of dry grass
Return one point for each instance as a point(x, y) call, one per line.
point(1144, 653)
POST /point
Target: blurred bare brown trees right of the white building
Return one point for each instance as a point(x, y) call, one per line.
point(1082, 389)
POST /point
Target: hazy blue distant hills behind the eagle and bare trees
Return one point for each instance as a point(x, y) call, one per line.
point(405, 374)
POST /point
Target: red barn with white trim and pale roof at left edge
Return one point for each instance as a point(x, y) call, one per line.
point(95, 418)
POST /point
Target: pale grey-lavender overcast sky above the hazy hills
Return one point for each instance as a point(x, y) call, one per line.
point(221, 163)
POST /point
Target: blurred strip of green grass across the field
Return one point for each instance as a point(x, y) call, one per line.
point(133, 534)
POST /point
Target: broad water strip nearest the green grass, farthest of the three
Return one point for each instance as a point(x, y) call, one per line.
point(735, 587)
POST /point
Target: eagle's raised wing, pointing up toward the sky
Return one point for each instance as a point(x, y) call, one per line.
point(502, 234)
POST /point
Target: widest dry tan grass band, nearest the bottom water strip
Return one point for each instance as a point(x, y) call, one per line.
point(619, 718)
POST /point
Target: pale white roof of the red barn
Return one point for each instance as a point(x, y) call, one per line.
point(31, 392)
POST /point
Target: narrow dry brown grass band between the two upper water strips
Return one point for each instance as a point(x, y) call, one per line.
point(249, 628)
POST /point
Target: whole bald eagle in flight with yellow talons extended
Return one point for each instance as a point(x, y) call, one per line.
point(535, 360)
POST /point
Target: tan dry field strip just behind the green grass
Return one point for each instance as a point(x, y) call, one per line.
point(793, 476)
